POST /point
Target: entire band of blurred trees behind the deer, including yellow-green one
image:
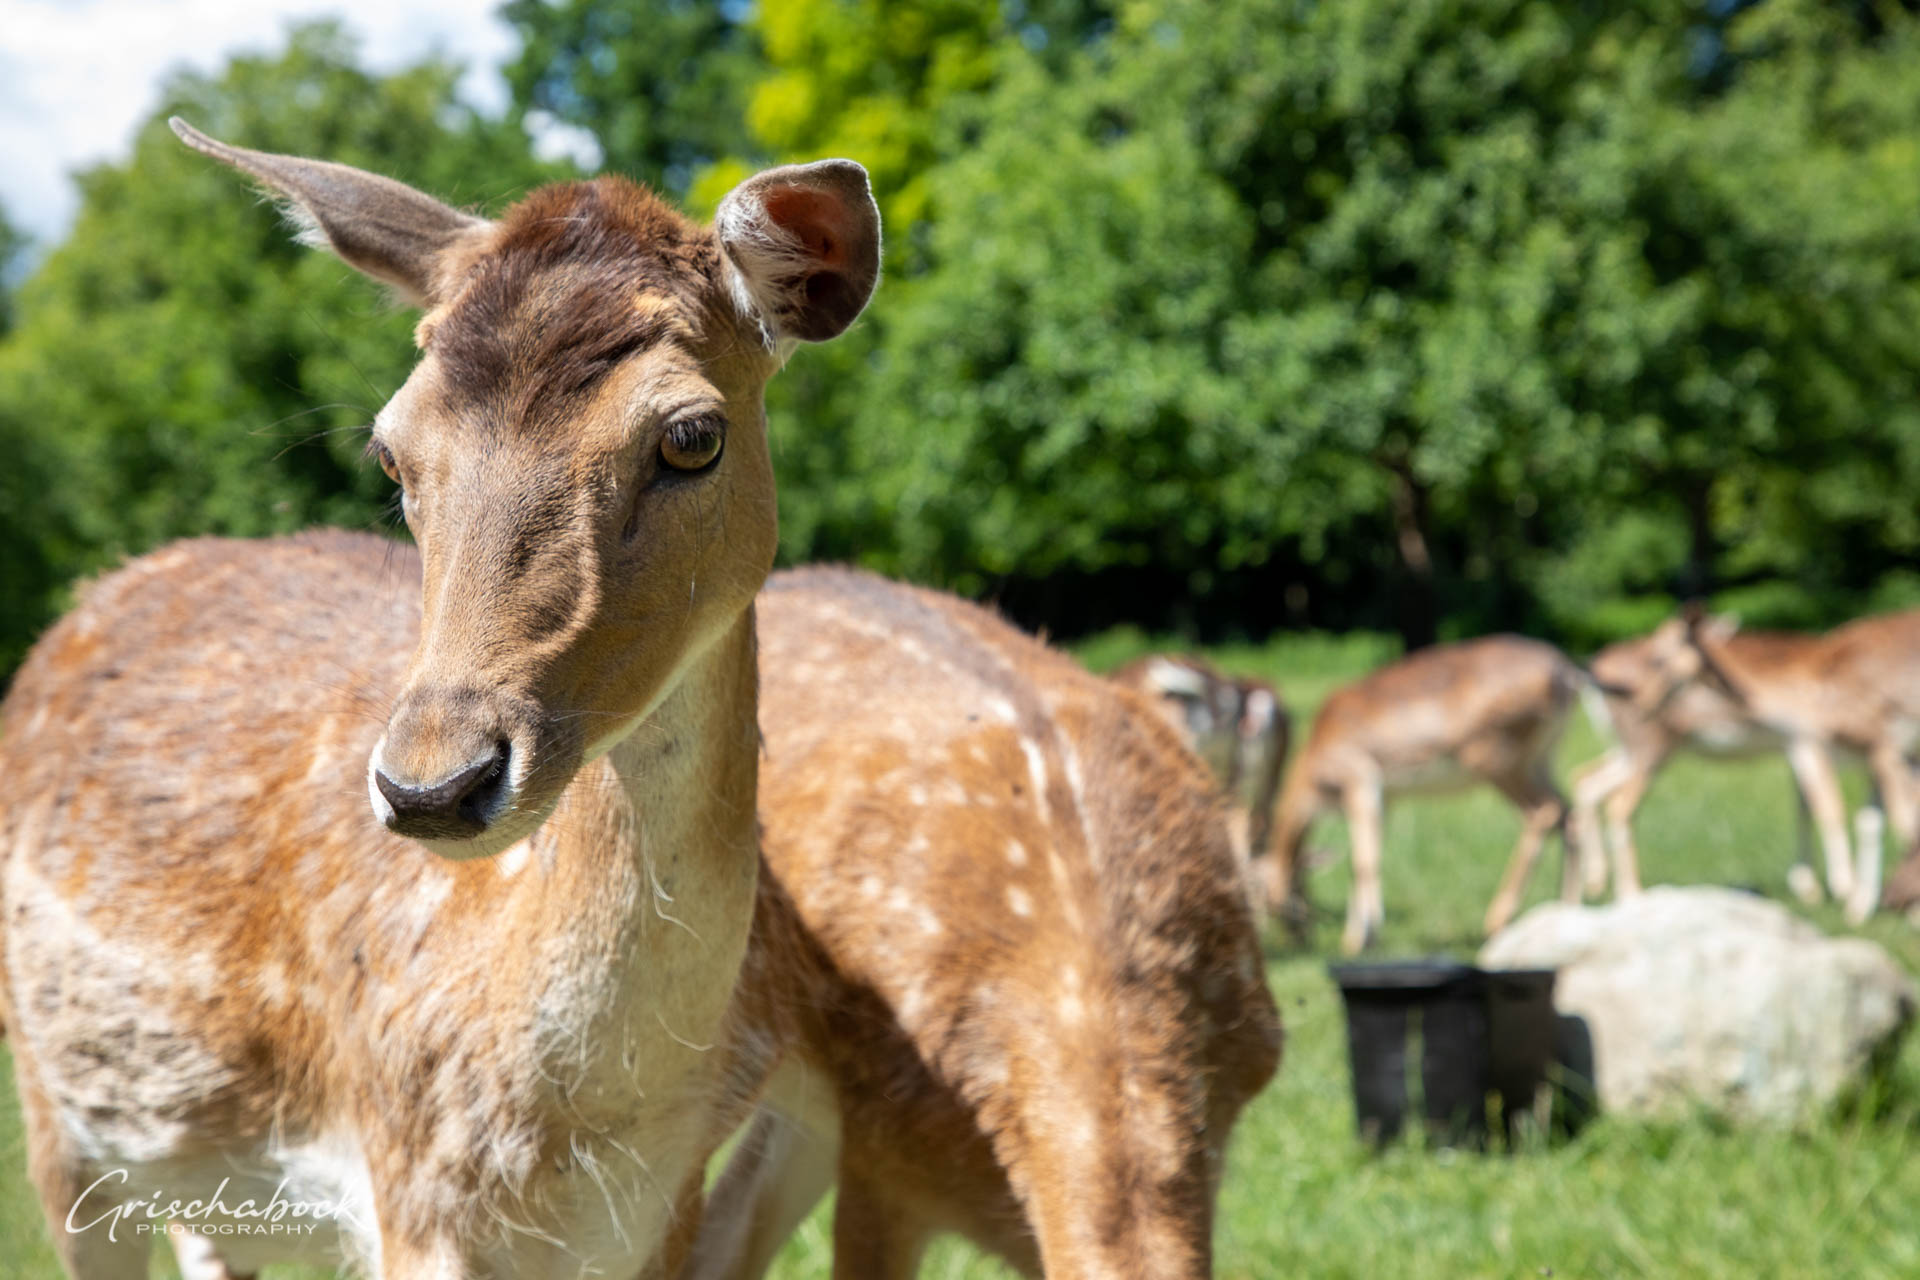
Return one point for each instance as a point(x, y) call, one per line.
point(1218, 316)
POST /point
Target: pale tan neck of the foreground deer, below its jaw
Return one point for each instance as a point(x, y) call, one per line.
point(648, 882)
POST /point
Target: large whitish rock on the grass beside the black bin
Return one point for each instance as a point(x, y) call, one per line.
point(1710, 997)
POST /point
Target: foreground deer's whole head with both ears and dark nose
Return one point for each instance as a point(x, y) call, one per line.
point(581, 452)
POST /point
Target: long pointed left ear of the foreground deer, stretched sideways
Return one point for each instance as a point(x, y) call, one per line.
point(377, 225)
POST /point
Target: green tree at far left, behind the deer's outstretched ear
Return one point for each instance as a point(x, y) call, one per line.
point(183, 367)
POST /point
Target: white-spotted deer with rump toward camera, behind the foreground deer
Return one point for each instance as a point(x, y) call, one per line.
point(1028, 999)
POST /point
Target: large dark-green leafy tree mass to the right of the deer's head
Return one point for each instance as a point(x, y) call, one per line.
point(1468, 314)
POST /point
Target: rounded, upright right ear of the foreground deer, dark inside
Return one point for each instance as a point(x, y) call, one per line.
point(802, 249)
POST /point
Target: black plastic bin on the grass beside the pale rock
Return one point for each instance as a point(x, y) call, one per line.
point(1477, 1033)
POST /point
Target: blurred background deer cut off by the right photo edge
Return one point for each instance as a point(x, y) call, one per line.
point(1852, 692)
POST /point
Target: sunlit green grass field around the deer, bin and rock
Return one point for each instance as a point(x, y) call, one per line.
point(1831, 1198)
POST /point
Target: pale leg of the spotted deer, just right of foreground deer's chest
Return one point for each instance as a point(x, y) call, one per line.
point(773, 1181)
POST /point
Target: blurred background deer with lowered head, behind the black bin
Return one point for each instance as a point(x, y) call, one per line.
point(1485, 711)
